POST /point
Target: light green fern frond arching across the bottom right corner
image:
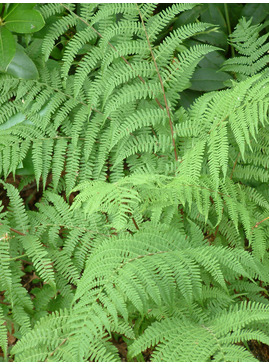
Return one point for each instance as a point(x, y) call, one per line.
point(210, 339)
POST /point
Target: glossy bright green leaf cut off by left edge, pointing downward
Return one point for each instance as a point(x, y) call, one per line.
point(7, 48)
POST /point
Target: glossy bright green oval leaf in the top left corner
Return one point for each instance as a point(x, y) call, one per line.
point(24, 21)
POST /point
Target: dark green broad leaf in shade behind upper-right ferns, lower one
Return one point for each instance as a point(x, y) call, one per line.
point(208, 79)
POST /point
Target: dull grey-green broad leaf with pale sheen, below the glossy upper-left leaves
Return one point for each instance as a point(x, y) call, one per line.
point(22, 66)
